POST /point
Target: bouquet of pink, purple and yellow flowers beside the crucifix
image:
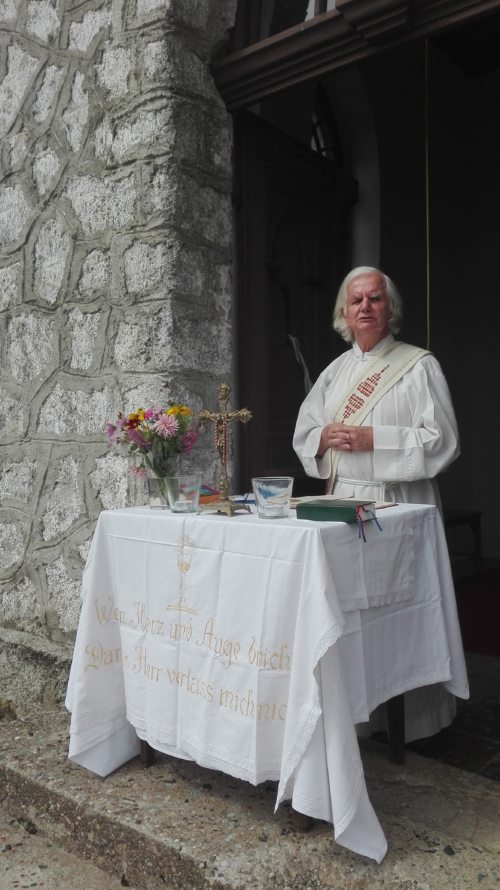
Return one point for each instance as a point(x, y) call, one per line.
point(158, 434)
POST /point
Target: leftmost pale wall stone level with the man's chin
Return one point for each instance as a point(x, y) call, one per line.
point(32, 346)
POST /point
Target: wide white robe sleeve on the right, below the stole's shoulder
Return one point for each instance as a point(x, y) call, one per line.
point(420, 438)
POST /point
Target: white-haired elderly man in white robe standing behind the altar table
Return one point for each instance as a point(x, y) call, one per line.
point(379, 424)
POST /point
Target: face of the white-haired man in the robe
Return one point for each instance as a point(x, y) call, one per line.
point(367, 309)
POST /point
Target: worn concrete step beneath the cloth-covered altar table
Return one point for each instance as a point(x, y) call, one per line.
point(177, 826)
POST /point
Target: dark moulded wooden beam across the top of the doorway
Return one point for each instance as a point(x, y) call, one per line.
point(354, 30)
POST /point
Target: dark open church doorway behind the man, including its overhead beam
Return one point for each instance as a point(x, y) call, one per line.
point(413, 187)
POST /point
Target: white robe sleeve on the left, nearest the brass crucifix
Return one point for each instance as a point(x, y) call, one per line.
point(310, 422)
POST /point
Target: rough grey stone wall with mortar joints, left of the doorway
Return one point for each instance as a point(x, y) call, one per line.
point(115, 265)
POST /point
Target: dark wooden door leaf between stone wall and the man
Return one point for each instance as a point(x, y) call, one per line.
point(292, 210)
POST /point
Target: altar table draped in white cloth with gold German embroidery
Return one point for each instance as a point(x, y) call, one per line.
point(255, 646)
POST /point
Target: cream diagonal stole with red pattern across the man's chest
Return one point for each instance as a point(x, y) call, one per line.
point(364, 392)
